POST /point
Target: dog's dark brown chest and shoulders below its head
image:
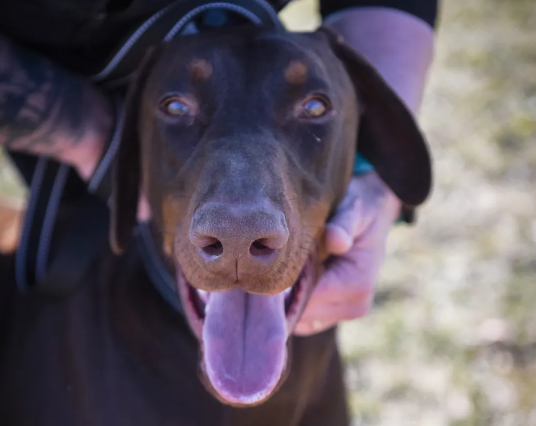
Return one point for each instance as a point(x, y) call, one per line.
point(116, 354)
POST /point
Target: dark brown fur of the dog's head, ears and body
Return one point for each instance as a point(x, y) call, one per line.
point(114, 353)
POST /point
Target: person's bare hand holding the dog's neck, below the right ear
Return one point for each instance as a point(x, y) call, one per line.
point(356, 237)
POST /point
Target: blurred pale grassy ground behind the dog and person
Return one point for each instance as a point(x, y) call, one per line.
point(452, 337)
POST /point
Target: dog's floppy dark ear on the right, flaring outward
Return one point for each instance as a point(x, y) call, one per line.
point(388, 134)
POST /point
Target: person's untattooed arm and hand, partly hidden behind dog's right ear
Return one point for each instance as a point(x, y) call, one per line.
point(400, 47)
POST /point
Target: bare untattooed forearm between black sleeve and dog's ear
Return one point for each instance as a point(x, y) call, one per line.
point(398, 44)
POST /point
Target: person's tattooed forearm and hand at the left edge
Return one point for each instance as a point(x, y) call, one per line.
point(46, 110)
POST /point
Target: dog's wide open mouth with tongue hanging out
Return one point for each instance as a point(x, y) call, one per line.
point(244, 336)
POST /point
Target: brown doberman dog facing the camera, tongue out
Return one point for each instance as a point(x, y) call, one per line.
point(243, 142)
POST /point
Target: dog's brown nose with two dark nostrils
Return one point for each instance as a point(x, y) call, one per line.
point(226, 236)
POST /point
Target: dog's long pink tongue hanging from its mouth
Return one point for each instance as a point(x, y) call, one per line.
point(244, 339)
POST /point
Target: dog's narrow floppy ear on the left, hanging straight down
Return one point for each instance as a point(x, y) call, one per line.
point(126, 173)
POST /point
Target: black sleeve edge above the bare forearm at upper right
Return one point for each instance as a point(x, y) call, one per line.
point(423, 9)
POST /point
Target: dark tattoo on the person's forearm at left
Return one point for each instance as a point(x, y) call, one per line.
point(43, 108)
